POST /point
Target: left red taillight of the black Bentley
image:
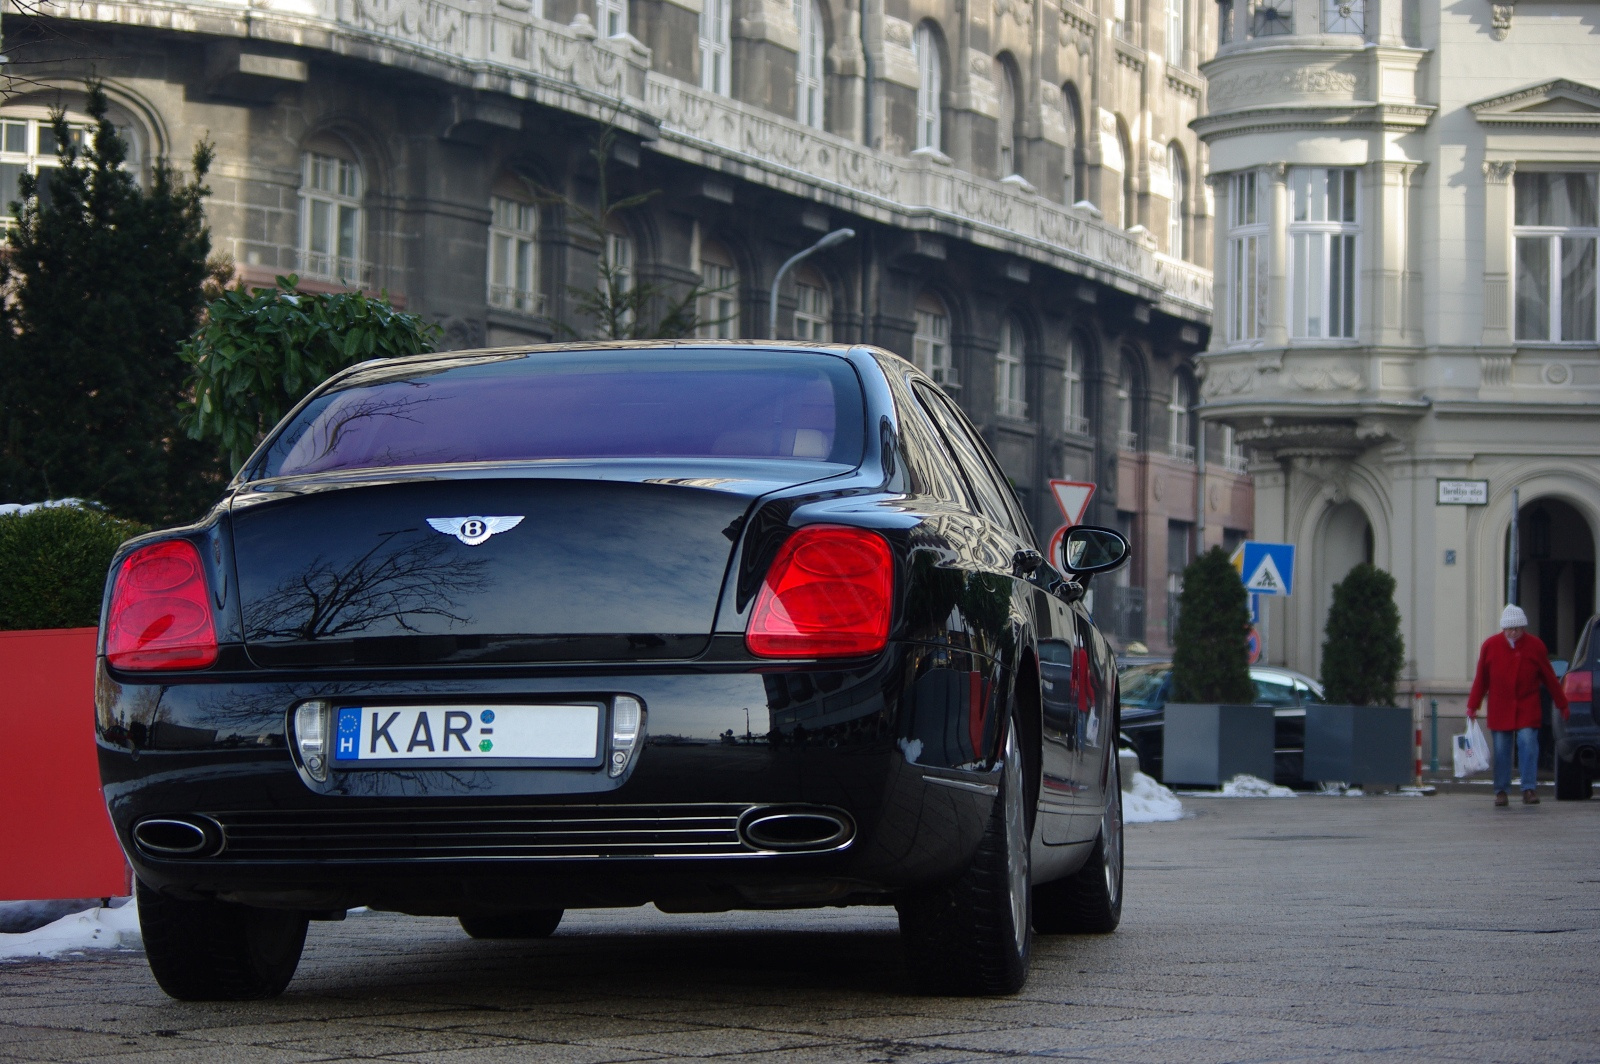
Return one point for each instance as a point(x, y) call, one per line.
point(161, 612)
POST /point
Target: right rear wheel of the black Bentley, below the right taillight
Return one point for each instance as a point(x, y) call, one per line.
point(975, 937)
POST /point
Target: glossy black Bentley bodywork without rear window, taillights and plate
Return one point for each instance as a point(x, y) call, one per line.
point(626, 578)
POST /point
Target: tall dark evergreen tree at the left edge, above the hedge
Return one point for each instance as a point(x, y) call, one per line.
point(103, 282)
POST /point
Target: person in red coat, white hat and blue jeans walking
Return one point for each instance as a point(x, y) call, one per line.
point(1511, 670)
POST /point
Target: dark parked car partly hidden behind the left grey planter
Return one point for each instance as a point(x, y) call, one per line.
point(1150, 687)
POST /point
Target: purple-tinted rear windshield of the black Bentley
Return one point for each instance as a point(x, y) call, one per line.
point(582, 404)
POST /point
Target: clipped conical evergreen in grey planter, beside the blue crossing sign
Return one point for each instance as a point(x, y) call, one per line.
point(1210, 647)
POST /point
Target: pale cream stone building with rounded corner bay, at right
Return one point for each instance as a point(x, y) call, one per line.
point(1407, 204)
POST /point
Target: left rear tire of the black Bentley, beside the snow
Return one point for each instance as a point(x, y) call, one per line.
point(217, 951)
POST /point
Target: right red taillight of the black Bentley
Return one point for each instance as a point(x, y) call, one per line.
point(828, 594)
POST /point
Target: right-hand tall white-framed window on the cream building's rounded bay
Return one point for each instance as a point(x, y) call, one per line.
point(1322, 254)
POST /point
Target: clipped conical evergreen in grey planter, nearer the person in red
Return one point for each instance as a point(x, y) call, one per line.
point(1364, 650)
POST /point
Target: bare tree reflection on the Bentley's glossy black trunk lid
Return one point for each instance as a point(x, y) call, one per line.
point(326, 601)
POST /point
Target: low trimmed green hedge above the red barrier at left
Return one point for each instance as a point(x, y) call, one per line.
point(55, 562)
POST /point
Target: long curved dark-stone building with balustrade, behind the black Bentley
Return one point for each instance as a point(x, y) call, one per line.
point(1020, 174)
